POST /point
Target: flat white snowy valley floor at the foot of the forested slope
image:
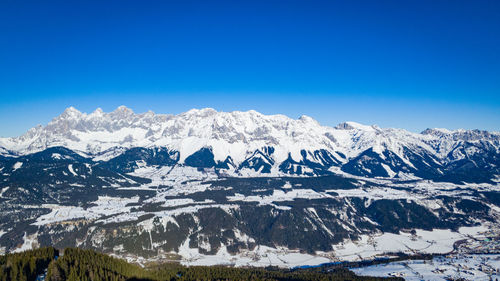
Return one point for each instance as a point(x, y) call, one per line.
point(368, 248)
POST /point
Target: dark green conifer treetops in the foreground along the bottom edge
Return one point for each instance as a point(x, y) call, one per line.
point(87, 265)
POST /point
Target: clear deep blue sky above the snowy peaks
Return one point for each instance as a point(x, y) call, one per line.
point(406, 64)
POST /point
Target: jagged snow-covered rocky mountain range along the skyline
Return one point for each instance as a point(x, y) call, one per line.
point(249, 143)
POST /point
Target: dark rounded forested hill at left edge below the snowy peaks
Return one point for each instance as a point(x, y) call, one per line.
point(58, 175)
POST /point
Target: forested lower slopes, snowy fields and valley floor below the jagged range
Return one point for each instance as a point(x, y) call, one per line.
point(197, 215)
